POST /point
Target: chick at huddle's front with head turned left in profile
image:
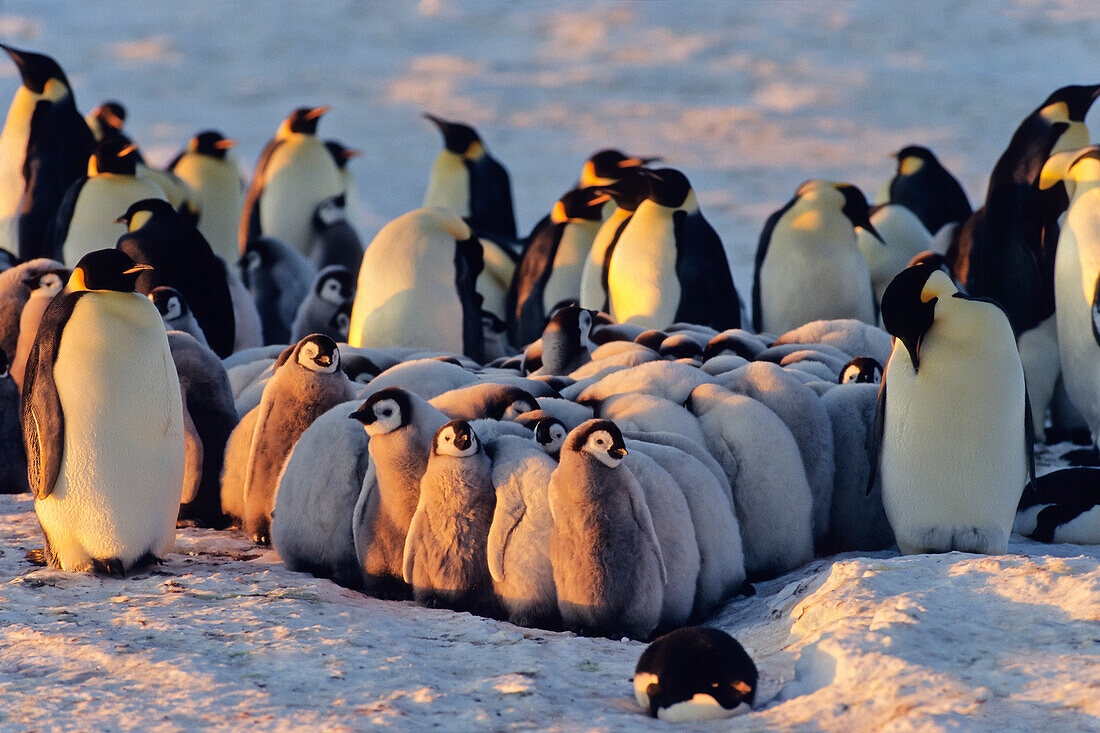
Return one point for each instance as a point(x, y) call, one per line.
point(401, 428)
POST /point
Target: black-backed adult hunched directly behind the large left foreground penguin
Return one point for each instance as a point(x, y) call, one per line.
point(162, 237)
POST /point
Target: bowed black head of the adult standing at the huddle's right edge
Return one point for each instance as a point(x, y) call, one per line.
point(909, 305)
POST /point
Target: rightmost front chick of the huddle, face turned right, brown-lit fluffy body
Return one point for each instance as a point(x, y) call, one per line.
point(608, 563)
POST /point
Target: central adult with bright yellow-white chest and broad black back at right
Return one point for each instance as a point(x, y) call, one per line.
point(669, 265)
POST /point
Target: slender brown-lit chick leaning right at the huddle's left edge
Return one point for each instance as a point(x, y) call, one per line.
point(307, 381)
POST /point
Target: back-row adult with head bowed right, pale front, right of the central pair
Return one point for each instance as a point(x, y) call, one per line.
point(808, 266)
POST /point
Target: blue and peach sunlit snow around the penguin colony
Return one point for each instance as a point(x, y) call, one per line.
point(750, 100)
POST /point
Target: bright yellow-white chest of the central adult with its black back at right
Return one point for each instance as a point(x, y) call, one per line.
point(642, 282)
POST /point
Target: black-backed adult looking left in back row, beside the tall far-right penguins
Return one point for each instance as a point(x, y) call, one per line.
point(927, 189)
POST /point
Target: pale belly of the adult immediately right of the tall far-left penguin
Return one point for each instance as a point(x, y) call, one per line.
point(103, 200)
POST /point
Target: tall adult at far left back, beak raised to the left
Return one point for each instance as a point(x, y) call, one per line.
point(45, 148)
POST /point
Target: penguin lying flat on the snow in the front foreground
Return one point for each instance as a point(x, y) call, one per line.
point(696, 674)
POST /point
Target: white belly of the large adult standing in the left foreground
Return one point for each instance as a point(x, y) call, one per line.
point(118, 491)
